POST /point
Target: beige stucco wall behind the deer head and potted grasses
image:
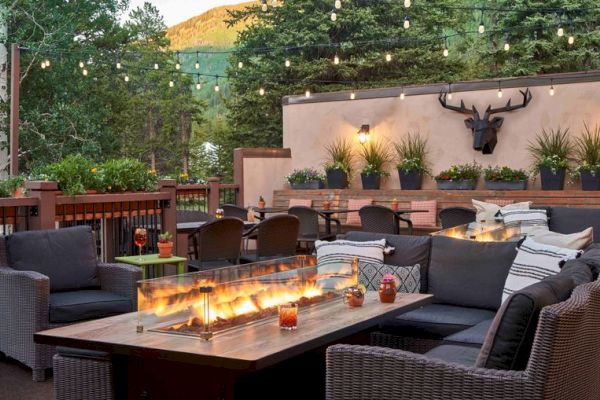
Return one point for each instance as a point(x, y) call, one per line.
point(308, 128)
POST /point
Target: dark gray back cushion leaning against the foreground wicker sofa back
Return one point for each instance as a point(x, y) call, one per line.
point(508, 343)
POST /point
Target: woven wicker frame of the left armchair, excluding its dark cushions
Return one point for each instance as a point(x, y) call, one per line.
point(25, 308)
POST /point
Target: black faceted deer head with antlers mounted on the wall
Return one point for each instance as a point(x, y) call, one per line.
point(485, 131)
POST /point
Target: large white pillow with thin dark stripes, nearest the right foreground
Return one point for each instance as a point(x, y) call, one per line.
point(534, 262)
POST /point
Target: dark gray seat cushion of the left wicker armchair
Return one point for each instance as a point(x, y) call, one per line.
point(79, 305)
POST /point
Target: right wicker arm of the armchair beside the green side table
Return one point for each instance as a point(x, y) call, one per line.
point(120, 279)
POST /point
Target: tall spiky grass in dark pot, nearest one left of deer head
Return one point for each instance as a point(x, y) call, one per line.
point(412, 151)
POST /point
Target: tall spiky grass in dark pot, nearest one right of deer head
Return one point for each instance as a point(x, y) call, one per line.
point(551, 151)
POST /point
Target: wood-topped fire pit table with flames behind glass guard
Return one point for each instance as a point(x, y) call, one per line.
point(215, 334)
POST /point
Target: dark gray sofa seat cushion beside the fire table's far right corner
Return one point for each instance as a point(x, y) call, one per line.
point(437, 320)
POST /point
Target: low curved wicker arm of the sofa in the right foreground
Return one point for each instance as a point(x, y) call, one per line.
point(366, 372)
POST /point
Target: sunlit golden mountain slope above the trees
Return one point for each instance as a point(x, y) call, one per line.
point(206, 30)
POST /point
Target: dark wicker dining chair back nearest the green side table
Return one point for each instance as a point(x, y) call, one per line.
point(216, 244)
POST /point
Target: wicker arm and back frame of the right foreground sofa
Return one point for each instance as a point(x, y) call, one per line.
point(564, 364)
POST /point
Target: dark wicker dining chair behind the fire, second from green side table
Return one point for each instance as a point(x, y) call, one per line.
point(276, 237)
